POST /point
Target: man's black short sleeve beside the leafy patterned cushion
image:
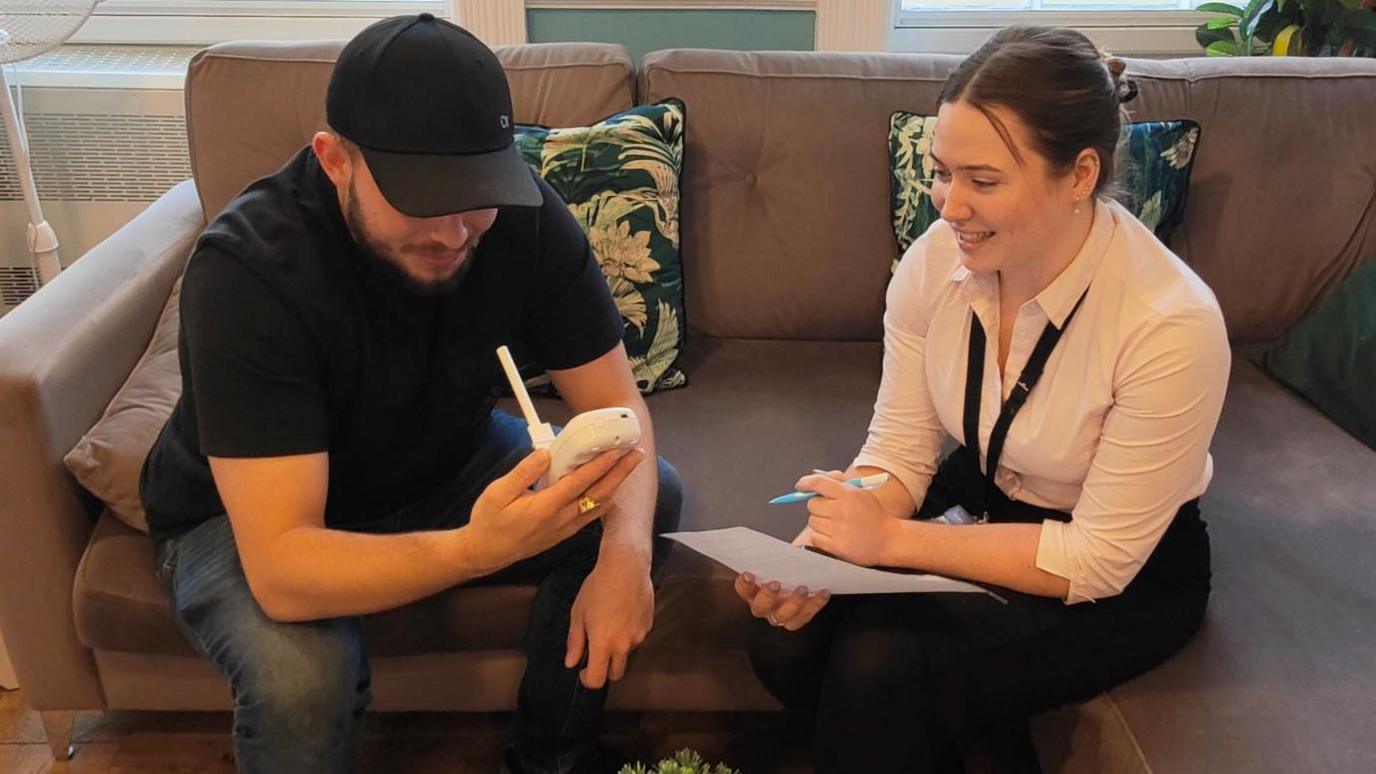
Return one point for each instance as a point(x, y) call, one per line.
point(572, 319)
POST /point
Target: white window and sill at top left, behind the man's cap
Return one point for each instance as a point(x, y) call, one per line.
point(197, 23)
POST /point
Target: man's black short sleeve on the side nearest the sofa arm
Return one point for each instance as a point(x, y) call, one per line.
point(251, 366)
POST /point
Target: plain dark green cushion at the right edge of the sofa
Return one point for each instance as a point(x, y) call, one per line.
point(1331, 356)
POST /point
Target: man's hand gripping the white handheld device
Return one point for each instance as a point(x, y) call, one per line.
point(510, 523)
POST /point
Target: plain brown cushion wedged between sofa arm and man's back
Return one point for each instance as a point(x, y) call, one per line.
point(108, 459)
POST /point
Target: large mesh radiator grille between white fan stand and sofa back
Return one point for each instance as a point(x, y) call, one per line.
point(100, 158)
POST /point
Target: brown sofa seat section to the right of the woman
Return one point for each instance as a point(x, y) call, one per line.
point(1280, 677)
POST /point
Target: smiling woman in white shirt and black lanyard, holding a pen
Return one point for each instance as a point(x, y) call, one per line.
point(1037, 298)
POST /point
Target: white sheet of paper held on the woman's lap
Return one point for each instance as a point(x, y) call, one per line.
point(771, 560)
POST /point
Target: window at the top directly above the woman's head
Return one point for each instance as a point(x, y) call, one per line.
point(1135, 28)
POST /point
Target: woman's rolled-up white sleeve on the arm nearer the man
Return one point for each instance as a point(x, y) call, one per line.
point(906, 433)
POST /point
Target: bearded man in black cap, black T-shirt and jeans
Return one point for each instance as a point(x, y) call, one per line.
point(335, 451)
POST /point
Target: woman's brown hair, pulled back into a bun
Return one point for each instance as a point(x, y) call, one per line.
point(1059, 83)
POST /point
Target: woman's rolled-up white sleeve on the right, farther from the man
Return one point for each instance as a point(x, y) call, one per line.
point(1152, 455)
